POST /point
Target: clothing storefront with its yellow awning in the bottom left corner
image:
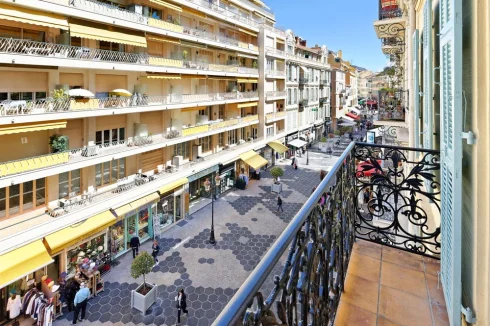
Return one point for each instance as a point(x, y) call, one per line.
point(25, 268)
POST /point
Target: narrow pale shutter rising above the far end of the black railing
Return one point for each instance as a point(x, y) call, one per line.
point(427, 75)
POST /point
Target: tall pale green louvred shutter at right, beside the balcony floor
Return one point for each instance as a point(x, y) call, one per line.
point(451, 154)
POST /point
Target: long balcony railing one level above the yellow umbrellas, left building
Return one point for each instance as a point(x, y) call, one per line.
point(59, 51)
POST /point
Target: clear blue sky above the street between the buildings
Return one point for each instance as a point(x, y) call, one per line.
point(339, 24)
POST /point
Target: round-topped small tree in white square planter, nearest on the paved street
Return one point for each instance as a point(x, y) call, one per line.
point(144, 295)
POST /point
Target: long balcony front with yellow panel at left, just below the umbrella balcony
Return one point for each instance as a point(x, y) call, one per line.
point(92, 153)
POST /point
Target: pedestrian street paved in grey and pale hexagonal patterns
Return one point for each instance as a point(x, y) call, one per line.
point(246, 225)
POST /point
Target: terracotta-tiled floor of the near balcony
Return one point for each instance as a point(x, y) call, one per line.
point(386, 286)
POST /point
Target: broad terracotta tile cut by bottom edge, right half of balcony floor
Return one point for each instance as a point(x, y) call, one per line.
point(404, 308)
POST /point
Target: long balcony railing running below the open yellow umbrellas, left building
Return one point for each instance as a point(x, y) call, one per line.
point(50, 105)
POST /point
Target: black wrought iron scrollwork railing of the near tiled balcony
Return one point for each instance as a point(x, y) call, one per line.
point(310, 277)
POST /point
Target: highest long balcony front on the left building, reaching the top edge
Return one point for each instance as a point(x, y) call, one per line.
point(174, 26)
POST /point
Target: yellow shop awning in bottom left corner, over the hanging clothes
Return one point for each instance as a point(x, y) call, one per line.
point(23, 261)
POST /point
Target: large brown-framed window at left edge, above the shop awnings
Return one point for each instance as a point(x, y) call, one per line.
point(20, 198)
